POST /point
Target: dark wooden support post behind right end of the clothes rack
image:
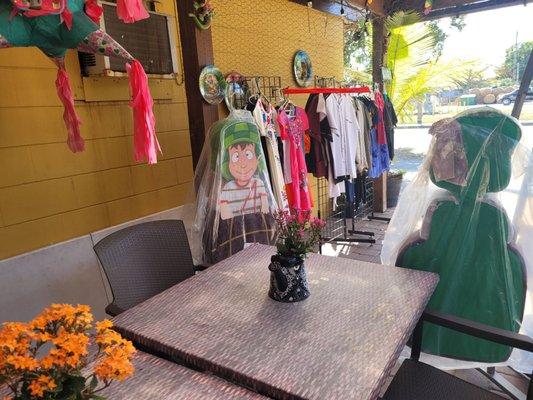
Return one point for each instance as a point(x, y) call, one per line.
point(378, 39)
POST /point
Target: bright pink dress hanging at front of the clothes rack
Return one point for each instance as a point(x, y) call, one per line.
point(292, 131)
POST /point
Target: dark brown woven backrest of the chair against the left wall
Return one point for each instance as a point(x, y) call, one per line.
point(145, 259)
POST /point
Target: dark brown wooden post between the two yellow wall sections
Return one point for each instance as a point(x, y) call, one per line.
point(197, 50)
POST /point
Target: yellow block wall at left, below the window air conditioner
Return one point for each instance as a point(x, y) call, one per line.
point(48, 194)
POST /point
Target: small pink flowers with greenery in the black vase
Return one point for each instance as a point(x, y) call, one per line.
point(298, 232)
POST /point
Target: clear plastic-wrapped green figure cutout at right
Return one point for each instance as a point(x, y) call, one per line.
point(468, 216)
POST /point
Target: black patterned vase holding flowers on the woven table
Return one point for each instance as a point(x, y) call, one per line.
point(288, 280)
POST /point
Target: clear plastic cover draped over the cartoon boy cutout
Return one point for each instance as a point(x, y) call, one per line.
point(235, 202)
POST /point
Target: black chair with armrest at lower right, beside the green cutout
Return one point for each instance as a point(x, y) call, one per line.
point(418, 381)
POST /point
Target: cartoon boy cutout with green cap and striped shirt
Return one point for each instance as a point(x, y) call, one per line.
point(245, 200)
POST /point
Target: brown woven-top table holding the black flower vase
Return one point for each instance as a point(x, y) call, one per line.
point(340, 343)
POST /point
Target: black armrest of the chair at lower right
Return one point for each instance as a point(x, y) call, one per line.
point(479, 330)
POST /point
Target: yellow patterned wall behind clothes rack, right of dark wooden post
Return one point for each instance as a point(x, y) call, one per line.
point(261, 38)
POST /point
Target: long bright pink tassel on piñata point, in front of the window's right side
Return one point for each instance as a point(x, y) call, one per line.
point(144, 136)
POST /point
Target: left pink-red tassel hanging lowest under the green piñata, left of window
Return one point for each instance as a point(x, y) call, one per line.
point(72, 121)
